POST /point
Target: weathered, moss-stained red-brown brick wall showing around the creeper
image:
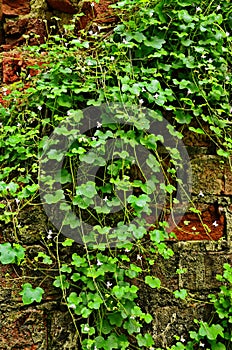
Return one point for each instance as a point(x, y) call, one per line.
point(48, 326)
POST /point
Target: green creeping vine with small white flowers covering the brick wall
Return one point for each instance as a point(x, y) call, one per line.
point(171, 57)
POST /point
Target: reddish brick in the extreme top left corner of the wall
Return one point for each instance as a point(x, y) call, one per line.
point(15, 7)
